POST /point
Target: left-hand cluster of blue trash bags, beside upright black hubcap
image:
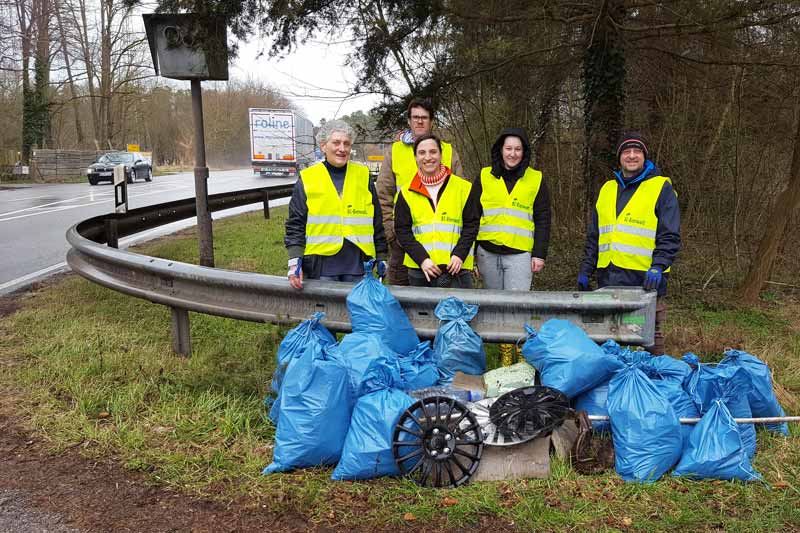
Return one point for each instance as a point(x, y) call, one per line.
point(336, 403)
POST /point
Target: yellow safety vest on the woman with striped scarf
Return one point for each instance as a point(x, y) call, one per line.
point(438, 232)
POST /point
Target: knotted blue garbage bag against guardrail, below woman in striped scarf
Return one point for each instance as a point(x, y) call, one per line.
point(458, 347)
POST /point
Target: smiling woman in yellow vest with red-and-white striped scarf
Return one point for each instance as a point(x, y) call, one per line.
point(436, 220)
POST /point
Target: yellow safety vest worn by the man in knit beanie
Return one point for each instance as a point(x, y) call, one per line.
point(628, 240)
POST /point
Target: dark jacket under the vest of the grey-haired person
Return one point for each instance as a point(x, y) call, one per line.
point(295, 237)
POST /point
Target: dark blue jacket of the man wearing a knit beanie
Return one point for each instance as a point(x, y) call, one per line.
point(668, 234)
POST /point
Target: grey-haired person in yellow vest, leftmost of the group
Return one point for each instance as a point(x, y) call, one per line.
point(334, 221)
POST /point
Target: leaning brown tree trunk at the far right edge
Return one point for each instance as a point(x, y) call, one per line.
point(784, 205)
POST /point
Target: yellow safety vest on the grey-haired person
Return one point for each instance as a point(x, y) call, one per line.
point(332, 219)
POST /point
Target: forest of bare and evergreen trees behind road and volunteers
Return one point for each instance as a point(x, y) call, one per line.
point(714, 85)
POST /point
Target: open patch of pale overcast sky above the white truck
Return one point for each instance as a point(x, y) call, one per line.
point(314, 77)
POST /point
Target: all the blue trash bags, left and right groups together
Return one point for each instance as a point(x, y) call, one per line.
point(337, 403)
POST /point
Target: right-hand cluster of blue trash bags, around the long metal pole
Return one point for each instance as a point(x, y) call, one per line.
point(645, 397)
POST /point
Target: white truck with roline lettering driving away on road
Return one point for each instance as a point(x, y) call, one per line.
point(281, 142)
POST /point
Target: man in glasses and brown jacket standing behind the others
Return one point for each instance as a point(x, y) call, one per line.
point(398, 168)
